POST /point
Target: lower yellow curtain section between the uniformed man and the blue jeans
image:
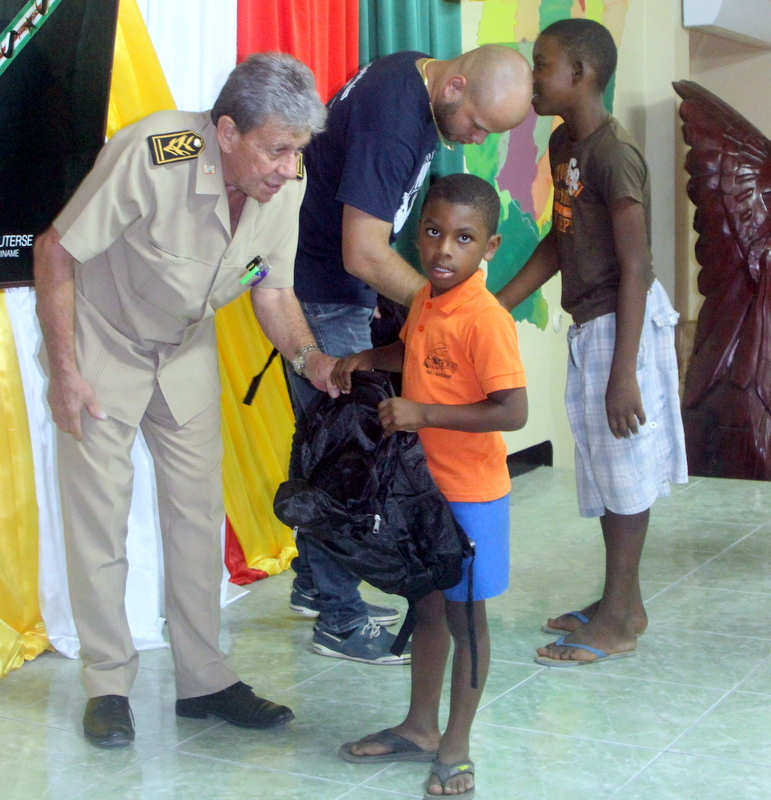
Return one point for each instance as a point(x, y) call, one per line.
point(257, 438)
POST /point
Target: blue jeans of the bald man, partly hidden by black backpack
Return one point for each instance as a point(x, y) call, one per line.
point(339, 330)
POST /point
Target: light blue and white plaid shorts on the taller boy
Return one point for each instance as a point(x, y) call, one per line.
point(626, 475)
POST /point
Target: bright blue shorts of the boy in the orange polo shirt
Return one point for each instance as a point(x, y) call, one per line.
point(487, 525)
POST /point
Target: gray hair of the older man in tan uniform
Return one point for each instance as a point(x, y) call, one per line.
point(271, 85)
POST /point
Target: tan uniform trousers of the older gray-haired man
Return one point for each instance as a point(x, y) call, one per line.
point(95, 478)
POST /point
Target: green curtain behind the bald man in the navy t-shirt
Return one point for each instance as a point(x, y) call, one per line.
point(431, 26)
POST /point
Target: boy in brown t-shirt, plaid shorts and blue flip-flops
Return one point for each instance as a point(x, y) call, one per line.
point(622, 384)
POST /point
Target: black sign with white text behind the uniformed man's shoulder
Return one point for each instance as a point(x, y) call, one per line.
point(55, 69)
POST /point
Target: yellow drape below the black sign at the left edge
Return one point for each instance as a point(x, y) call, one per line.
point(22, 633)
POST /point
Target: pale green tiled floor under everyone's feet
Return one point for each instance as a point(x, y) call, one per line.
point(690, 717)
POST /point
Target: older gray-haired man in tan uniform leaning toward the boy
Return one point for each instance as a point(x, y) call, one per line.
point(181, 213)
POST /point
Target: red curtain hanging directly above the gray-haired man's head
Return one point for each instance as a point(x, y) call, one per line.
point(324, 34)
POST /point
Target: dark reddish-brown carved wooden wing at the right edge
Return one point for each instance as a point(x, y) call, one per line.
point(730, 167)
